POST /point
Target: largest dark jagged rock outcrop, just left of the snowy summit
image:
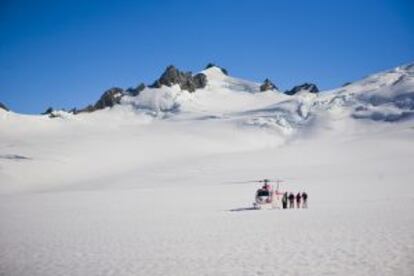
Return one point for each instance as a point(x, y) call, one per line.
point(185, 80)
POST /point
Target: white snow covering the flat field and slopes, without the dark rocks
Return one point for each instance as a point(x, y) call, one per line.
point(155, 186)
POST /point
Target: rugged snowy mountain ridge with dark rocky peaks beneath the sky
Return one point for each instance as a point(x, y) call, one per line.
point(212, 93)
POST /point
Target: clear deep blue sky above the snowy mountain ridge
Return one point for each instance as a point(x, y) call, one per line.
point(66, 53)
